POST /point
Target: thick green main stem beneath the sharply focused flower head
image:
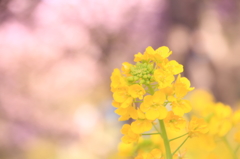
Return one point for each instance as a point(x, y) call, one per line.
point(165, 140)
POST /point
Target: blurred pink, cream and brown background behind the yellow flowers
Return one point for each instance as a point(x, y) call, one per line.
point(56, 58)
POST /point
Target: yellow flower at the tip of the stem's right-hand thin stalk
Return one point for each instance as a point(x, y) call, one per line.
point(197, 126)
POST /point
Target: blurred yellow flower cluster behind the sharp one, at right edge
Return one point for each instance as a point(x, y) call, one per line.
point(223, 138)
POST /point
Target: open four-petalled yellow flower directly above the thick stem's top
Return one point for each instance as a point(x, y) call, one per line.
point(153, 106)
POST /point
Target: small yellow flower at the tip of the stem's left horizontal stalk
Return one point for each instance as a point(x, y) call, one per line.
point(129, 135)
